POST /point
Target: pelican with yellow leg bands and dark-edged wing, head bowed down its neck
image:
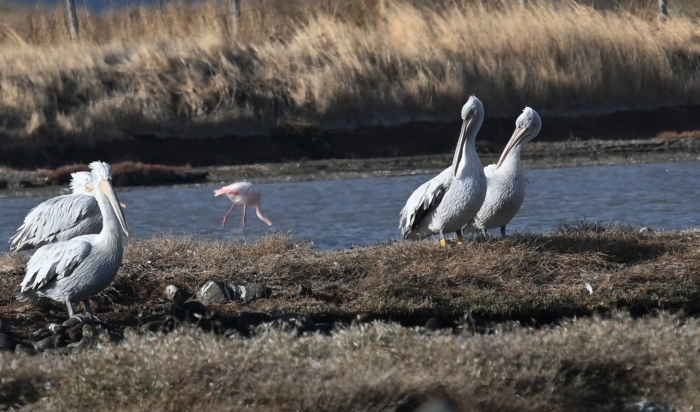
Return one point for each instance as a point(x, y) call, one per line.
point(450, 200)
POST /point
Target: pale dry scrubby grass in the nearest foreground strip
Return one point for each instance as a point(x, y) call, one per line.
point(585, 365)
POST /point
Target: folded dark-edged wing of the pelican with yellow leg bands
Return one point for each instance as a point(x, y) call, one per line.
point(423, 201)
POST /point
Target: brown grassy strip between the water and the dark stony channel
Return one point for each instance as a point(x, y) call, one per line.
point(523, 277)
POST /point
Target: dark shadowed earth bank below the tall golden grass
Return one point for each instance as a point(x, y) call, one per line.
point(302, 143)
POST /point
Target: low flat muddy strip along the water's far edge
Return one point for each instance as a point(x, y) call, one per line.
point(538, 154)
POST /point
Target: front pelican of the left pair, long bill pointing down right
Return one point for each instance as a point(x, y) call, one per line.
point(77, 269)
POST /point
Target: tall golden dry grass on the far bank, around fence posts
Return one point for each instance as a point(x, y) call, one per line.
point(177, 72)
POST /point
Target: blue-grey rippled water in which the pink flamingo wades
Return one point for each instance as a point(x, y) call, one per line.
point(342, 213)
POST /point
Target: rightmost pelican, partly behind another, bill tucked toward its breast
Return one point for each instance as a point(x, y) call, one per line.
point(506, 181)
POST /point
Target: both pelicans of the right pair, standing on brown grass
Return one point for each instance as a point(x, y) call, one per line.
point(467, 195)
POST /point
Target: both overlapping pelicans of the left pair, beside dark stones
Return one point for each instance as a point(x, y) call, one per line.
point(79, 241)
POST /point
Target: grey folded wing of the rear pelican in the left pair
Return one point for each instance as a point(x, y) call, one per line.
point(57, 219)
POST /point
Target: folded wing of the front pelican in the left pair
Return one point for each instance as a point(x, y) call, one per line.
point(55, 261)
